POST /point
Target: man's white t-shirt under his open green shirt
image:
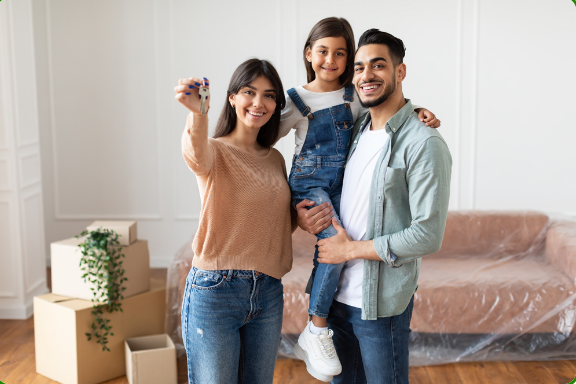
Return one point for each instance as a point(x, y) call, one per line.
point(354, 209)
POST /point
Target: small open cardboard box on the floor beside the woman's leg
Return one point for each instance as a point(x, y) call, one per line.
point(151, 360)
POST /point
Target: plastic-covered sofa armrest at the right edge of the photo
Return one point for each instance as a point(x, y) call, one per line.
point(561, 246)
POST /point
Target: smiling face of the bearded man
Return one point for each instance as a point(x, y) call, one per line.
point(374, 75)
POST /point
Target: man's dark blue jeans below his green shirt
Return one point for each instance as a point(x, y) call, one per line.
point(373, 351)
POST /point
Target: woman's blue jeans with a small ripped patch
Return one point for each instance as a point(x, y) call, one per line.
point(231, 323)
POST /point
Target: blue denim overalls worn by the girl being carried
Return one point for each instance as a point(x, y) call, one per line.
point(317, 174)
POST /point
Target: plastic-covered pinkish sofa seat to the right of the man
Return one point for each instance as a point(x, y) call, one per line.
point(481, 295)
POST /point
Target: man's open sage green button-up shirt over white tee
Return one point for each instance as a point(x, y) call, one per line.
point(408, 204)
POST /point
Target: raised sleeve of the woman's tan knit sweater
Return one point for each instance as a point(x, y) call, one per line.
point(196, 148)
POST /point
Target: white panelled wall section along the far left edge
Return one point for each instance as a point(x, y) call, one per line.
point(21, 213)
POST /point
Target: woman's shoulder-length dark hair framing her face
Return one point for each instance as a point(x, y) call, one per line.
point(246, 73)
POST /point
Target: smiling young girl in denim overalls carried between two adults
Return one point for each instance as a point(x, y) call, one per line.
point(323, 113)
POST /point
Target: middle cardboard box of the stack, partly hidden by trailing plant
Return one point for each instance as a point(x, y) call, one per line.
point(67, 276)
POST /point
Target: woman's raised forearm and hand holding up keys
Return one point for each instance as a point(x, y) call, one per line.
point(196, 149)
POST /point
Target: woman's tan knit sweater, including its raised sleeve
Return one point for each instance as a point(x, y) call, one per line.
point(245, 222)
